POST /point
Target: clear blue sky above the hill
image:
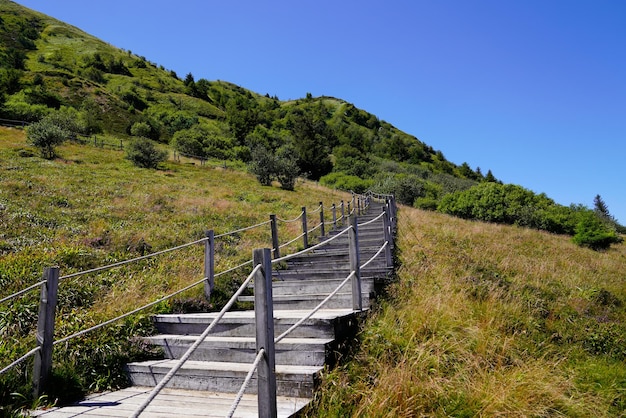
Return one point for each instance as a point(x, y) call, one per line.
point(534, 90)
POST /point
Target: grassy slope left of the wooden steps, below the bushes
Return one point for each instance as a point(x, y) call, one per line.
point(90, 208)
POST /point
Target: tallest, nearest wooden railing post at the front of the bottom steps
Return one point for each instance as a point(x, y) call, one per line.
point(264, 316)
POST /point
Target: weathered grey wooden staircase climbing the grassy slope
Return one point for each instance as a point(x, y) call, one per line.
point(216, 370)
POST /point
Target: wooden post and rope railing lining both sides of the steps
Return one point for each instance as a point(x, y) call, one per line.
point(264, 258)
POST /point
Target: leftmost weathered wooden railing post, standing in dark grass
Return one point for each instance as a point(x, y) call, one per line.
point(45, 330)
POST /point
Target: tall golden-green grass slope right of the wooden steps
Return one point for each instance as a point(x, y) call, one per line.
point(489, 320)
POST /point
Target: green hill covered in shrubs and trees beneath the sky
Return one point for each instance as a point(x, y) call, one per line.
point(47, 65)
